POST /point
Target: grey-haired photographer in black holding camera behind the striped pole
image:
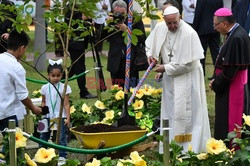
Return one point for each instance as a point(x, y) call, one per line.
point(117, 46)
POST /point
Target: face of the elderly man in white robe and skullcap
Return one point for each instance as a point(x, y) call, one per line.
point(172, 22)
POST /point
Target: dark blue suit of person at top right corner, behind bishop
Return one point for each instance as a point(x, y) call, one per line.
point(241, 12)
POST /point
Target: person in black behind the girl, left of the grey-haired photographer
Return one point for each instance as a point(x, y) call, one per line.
point(77, 49)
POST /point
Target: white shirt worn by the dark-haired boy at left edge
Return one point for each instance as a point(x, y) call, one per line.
point(13, 85)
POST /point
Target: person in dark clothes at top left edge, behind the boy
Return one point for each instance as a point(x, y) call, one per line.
point(5, 24)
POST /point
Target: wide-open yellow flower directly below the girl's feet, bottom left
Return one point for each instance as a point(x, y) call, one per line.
point(44, 155)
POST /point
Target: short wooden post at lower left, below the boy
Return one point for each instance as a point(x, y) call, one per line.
point(12, 143)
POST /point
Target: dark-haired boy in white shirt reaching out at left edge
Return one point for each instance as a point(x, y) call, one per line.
point(13, 83)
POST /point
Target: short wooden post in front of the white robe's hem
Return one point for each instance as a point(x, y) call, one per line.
point(165, 131)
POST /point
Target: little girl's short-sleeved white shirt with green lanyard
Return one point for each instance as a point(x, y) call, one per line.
point(52, 98)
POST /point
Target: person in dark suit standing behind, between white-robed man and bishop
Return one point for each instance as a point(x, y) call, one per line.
point(203, 24)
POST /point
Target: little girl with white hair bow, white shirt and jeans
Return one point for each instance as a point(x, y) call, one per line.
point(51, 98)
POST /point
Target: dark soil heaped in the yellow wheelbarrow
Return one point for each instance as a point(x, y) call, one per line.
point(96, 128)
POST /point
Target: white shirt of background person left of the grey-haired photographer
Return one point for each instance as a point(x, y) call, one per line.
point(101, 15)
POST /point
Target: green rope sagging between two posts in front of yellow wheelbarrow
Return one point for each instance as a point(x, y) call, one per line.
point(88, 151)
